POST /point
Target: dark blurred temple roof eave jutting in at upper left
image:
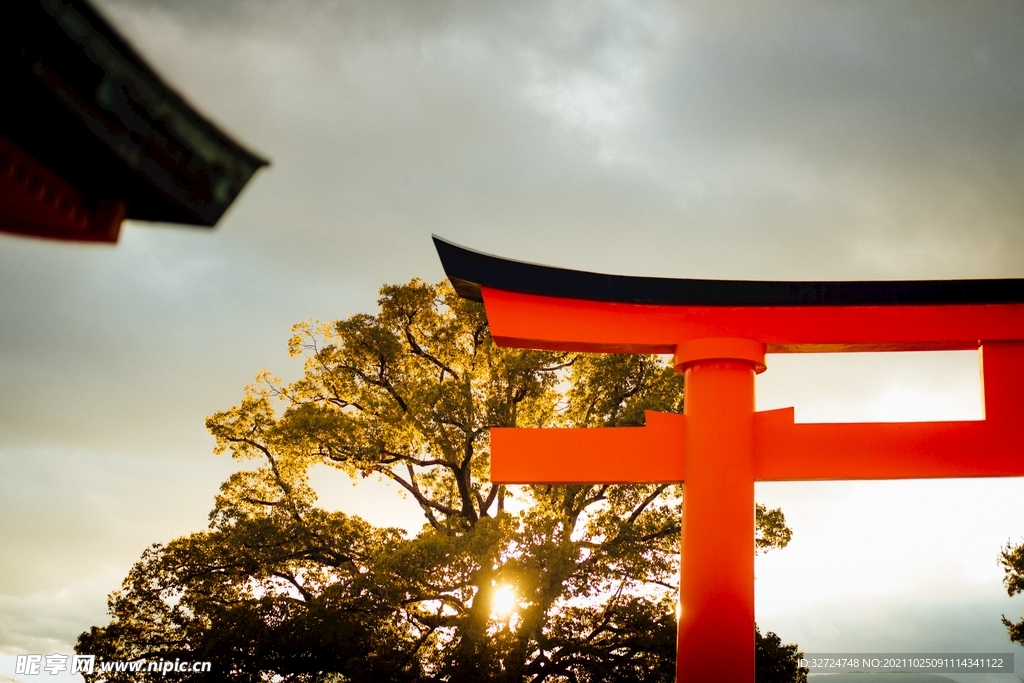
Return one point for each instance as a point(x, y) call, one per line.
point(97, 117)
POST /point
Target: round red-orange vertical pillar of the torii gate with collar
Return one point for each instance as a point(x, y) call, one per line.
point(716, 592)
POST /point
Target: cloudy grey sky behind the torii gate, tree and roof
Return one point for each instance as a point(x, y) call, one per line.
point(777, 141)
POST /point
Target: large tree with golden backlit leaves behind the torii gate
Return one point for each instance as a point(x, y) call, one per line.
point(500, 584)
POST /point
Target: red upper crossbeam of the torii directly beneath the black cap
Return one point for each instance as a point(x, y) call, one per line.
point(533, 322)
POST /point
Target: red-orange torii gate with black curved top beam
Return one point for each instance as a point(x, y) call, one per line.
point(719, 332)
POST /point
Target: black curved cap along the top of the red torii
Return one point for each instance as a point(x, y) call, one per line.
point(468, 271)
